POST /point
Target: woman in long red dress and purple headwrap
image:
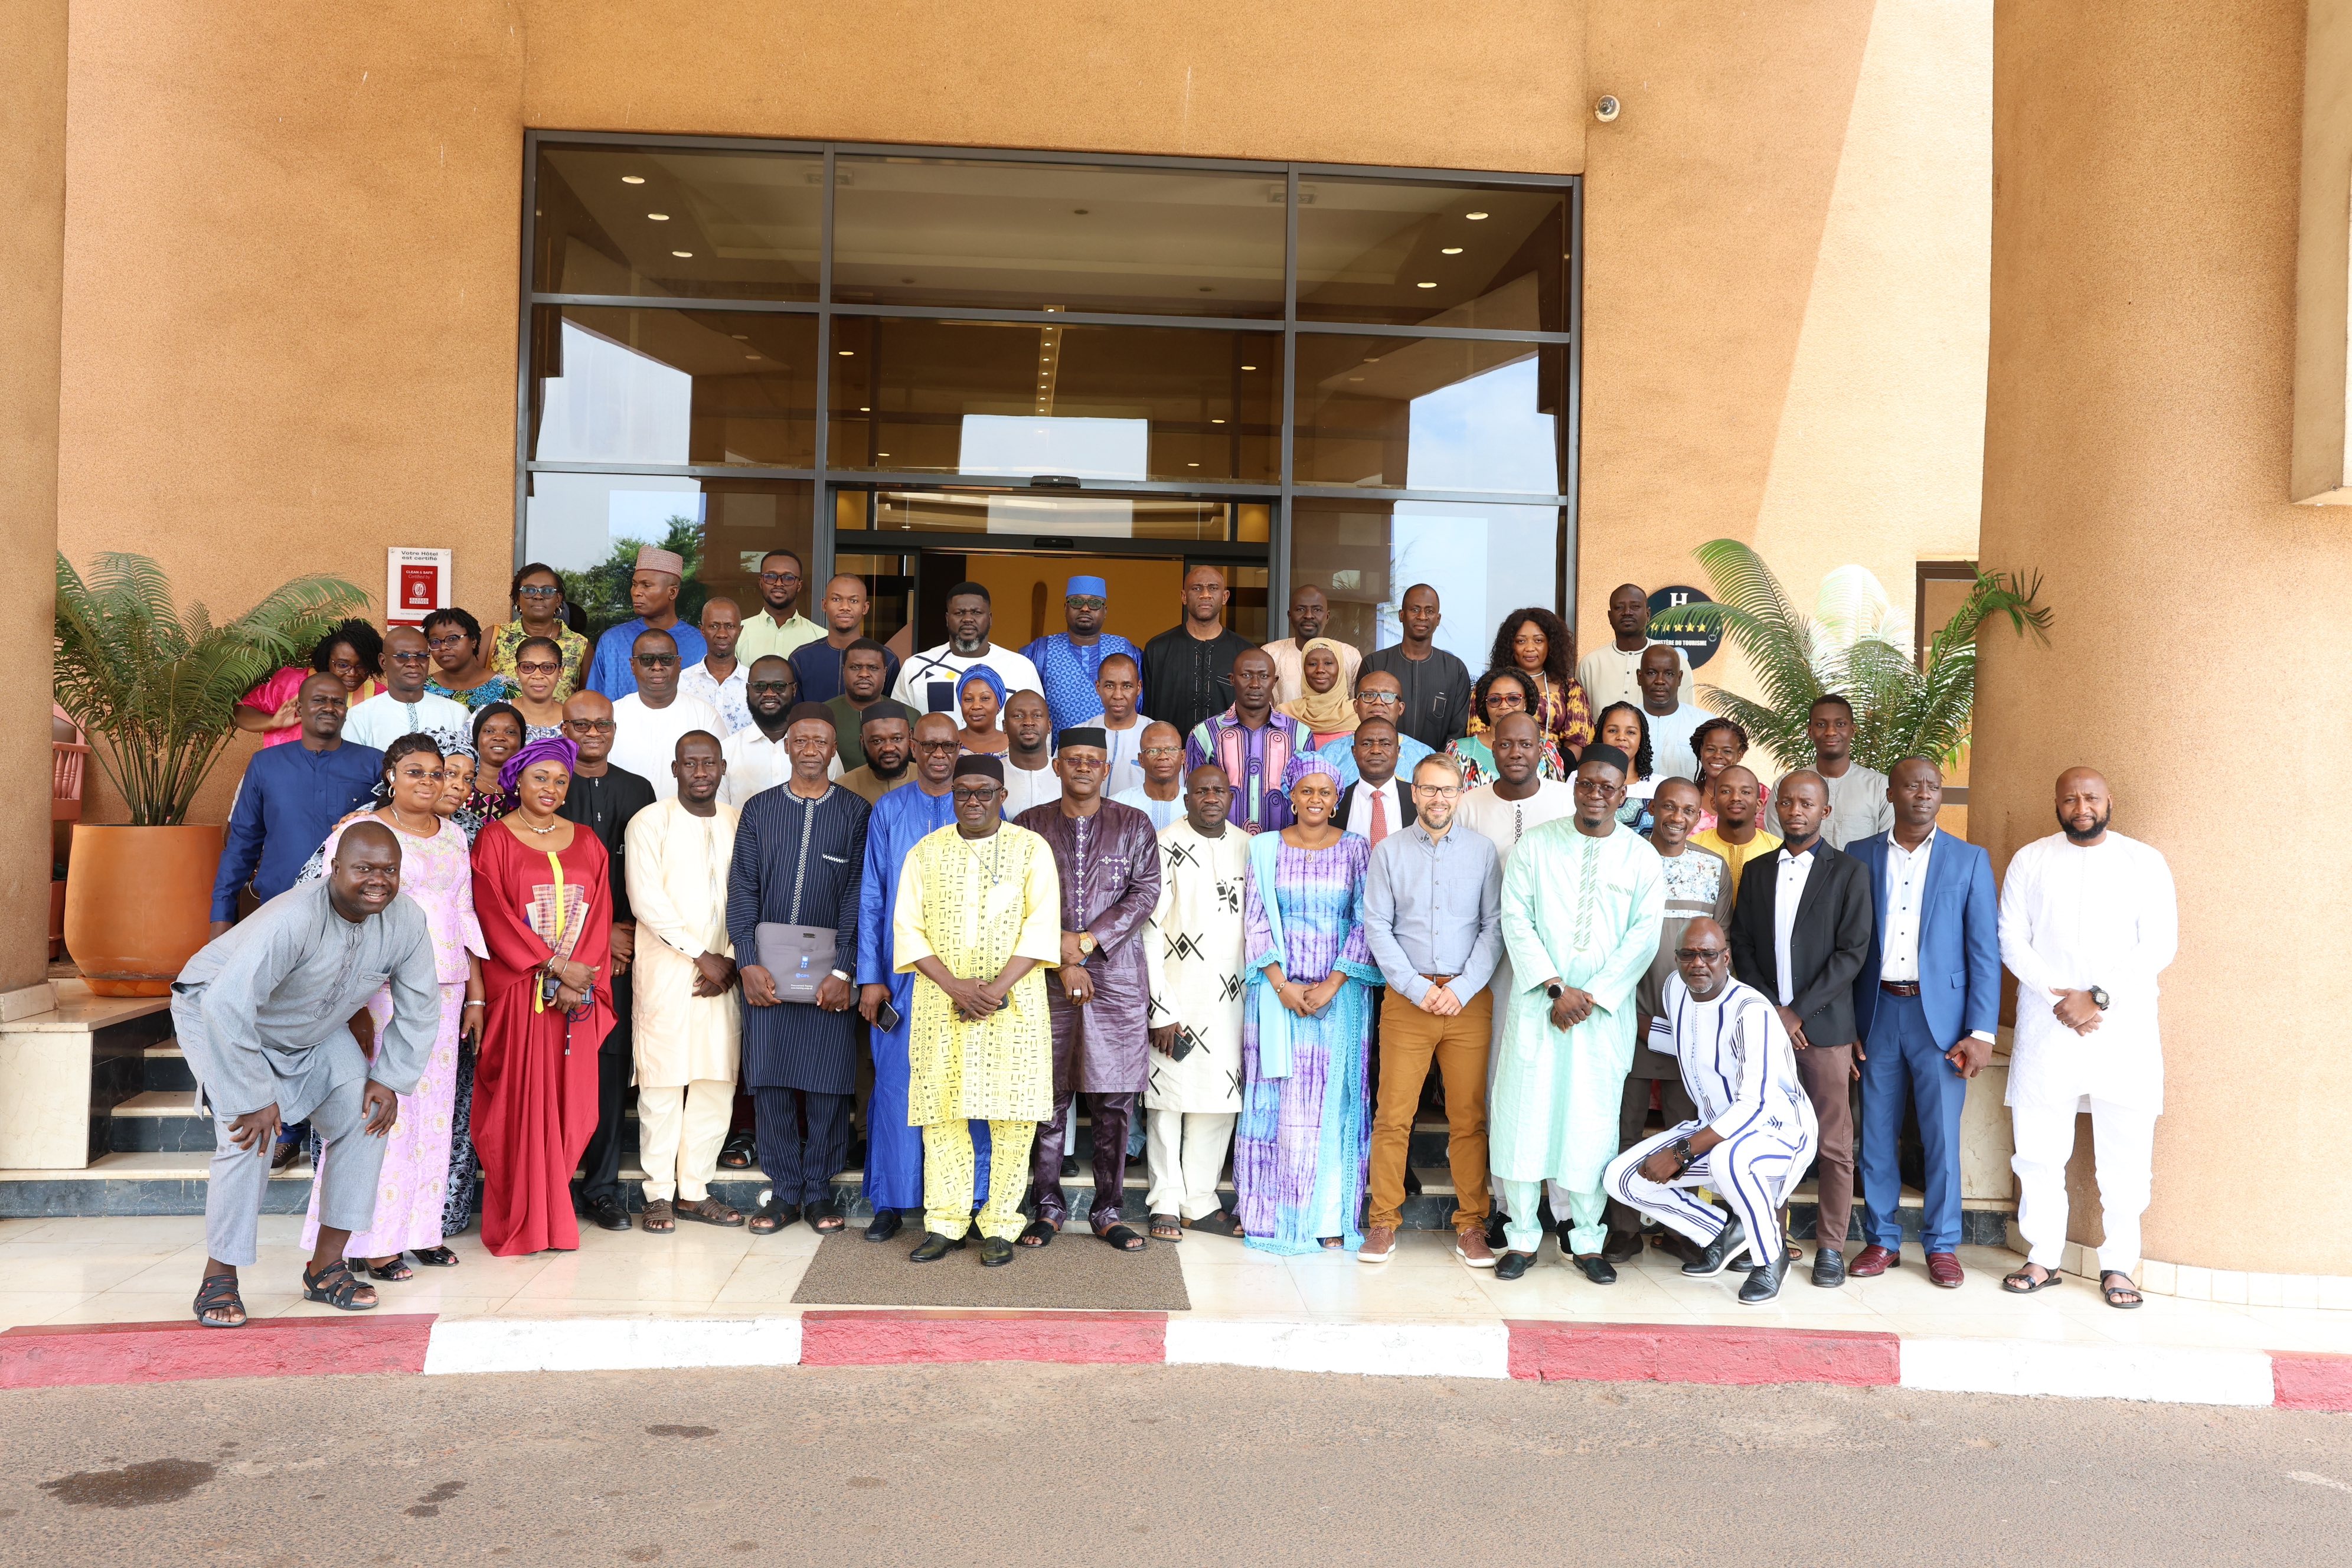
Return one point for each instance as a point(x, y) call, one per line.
point(544, 897)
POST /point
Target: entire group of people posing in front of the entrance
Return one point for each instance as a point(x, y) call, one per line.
point(1236, 899)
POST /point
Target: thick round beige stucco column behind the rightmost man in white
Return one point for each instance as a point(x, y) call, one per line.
point(2137, 450)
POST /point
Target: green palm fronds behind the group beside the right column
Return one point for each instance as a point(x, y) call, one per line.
point(1902, 709)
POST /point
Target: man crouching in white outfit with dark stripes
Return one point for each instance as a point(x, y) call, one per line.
point(1756, 1130)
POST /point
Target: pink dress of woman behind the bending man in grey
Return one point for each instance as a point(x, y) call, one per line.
point(439, 876)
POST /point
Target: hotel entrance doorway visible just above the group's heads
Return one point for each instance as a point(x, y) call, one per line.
point(1024, 544)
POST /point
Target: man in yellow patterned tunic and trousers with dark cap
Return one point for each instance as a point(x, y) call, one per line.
point(975, 920)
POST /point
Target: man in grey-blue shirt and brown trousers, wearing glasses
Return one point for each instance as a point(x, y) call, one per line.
point(1434, 918)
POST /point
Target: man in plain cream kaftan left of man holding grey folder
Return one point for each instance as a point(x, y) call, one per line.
point(688, 1024)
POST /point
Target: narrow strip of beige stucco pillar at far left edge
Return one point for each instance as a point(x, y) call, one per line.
point(32, 311)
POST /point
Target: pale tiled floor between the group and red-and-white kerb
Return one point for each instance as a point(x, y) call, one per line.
point(147, 1271)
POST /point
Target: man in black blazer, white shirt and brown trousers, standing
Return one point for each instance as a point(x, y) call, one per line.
point(1800, 934)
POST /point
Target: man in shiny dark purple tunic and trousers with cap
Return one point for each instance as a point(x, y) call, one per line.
point(1109, 864)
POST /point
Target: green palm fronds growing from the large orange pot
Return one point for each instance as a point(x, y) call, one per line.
point(156, 688)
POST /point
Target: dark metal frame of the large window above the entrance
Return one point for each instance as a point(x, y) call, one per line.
point(827, 481)
